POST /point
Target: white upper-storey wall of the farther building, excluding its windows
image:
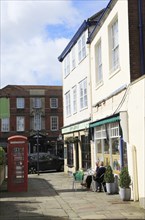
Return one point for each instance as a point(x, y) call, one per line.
point(73, 79)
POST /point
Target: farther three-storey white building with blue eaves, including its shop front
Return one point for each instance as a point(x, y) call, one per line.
point(76, 98)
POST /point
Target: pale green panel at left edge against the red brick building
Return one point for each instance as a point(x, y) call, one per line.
point(4, 108)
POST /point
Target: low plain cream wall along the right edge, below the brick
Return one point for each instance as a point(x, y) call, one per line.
point(136, 122)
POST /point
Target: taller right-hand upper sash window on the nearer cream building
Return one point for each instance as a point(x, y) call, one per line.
point(114, 46)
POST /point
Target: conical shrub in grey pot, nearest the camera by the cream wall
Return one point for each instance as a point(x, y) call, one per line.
point(124, 184)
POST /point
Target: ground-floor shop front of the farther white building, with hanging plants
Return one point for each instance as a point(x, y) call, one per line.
point(77, 149)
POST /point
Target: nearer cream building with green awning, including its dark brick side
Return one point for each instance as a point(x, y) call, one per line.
point(118, 91)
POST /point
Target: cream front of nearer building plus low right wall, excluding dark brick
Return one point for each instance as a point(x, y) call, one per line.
point(115, 94)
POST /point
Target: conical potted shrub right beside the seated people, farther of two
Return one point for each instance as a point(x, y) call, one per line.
point(109, 179)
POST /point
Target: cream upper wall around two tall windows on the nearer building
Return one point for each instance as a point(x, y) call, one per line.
point(121, 77)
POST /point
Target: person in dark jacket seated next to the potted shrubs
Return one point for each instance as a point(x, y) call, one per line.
point(100, 178)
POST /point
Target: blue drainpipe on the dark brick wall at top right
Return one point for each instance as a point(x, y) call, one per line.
point(142, 58)
